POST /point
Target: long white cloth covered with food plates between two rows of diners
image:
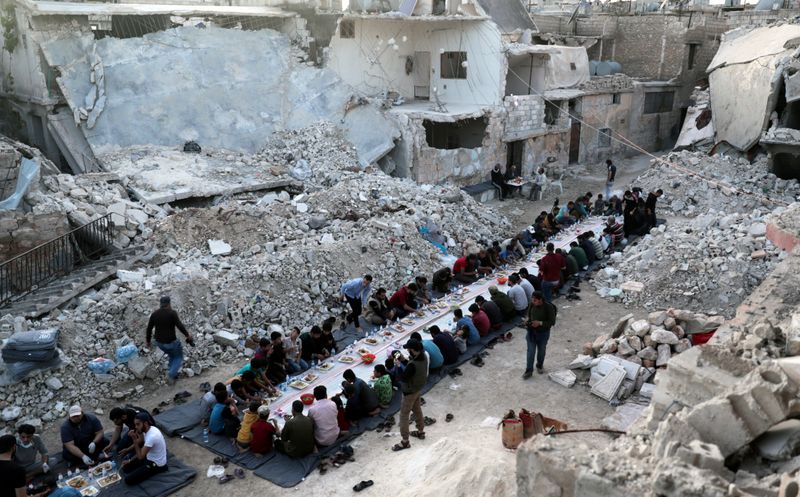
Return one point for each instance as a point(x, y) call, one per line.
point(433, 315)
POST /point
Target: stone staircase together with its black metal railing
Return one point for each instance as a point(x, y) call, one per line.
point(45, 277)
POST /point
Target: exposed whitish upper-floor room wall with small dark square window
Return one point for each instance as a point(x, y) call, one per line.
point(369, 61)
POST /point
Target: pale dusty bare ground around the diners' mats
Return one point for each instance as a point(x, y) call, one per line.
point(458, 458)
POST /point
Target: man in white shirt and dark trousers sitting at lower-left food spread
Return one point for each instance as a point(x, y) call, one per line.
point(151, 452)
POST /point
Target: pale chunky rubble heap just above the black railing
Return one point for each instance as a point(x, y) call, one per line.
point(87, 197)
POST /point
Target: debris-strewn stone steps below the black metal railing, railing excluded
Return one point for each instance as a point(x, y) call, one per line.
point(67, 287)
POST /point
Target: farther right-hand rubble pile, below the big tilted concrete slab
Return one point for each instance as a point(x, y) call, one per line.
point(689, 195)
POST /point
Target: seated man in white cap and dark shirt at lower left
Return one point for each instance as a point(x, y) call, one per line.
point(82, 436)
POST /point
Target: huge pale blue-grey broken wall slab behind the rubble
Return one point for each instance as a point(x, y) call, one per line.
point(223, 88)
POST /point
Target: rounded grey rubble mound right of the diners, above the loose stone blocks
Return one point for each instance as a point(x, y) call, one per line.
point(707, 264)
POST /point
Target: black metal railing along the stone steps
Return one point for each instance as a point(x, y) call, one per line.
point(28, 271)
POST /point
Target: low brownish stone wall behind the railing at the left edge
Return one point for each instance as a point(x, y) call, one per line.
point(21, 231)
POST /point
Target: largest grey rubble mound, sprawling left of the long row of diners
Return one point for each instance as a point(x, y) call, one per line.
point(279, 271)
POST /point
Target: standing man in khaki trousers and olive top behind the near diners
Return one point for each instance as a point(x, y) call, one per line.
point(413, 379)
